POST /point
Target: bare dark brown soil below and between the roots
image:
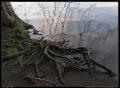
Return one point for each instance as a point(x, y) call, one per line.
point(71, 77)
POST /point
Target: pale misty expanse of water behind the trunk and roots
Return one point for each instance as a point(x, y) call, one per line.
point(100, 37)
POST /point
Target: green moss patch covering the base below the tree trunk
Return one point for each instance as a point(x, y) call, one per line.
point(10, 35)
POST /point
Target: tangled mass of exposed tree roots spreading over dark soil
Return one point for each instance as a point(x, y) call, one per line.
point(58, 55)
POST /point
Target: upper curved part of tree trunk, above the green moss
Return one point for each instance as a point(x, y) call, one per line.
point(8, 16)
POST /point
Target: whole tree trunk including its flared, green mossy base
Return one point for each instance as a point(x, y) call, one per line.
point(12, 29)
